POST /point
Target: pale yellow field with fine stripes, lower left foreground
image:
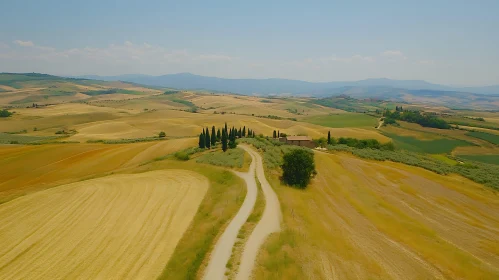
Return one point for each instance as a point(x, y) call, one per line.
point(116, 227)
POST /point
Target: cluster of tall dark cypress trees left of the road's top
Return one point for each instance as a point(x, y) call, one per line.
point(225, 136)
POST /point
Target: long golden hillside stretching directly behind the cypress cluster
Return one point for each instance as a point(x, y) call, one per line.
point(181, 124)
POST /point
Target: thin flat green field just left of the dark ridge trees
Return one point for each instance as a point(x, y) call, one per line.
point(344, 120)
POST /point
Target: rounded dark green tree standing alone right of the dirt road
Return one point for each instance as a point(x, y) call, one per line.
point(298, 168)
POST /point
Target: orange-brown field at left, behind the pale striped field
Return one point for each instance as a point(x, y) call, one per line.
point(30, 168)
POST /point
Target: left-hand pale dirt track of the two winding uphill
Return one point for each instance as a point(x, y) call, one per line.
point(223, 249)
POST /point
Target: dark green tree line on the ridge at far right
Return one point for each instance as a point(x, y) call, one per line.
point(415, 117)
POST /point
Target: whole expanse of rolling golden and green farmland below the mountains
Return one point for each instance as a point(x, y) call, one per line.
point(86, 172)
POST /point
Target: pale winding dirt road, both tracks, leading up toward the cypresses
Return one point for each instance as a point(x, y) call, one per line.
point(269, 223)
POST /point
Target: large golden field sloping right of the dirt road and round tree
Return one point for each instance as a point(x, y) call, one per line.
point(372, 220)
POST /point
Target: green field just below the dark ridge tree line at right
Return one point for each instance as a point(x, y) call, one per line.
point(437, 146)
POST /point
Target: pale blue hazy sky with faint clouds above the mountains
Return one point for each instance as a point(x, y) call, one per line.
point(452, 42)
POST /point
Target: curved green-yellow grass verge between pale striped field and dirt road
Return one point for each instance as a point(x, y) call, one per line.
point(222, 200)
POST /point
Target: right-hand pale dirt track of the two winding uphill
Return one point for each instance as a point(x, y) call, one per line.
point(269, 223)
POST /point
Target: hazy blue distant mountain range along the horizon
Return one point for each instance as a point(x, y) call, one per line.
point(281, 86)
